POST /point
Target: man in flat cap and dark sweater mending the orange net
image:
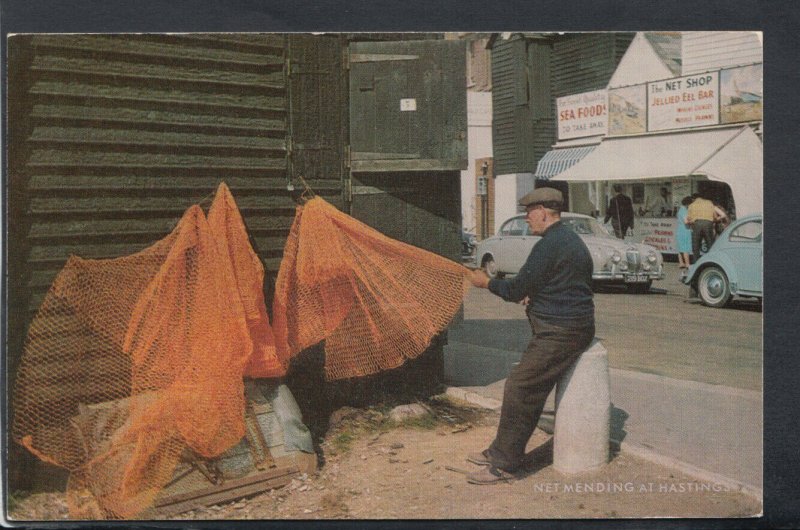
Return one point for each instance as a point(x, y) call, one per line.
point(556, 282)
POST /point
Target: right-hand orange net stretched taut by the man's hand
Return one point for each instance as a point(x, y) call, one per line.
point(375, 301)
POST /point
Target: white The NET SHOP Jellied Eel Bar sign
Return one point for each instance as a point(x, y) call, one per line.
point(689, 101)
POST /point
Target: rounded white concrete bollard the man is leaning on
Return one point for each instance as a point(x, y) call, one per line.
point(583, 414)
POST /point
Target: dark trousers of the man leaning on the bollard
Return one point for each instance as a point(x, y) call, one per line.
point(550, 353)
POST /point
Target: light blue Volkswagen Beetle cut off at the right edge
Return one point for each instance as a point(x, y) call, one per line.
point(733, 265)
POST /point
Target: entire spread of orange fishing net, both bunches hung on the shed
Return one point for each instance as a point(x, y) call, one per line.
point(133, 363)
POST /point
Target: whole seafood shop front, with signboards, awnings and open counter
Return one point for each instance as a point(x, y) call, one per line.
point(659, 142)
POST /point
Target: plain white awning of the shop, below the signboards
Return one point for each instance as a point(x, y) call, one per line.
point(730, 155)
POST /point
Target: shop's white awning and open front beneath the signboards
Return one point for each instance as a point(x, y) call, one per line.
point(658, 171)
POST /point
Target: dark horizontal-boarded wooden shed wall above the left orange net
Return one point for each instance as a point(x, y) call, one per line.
point(125, 132)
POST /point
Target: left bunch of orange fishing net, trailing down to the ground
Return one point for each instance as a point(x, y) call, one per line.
point(133, 363)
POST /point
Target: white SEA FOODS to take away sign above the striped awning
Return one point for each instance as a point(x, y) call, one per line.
point(582, 115)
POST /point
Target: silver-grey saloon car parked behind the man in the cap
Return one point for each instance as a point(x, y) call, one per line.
point(615, 260)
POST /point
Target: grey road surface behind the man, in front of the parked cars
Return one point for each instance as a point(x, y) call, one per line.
point(658, 333)
